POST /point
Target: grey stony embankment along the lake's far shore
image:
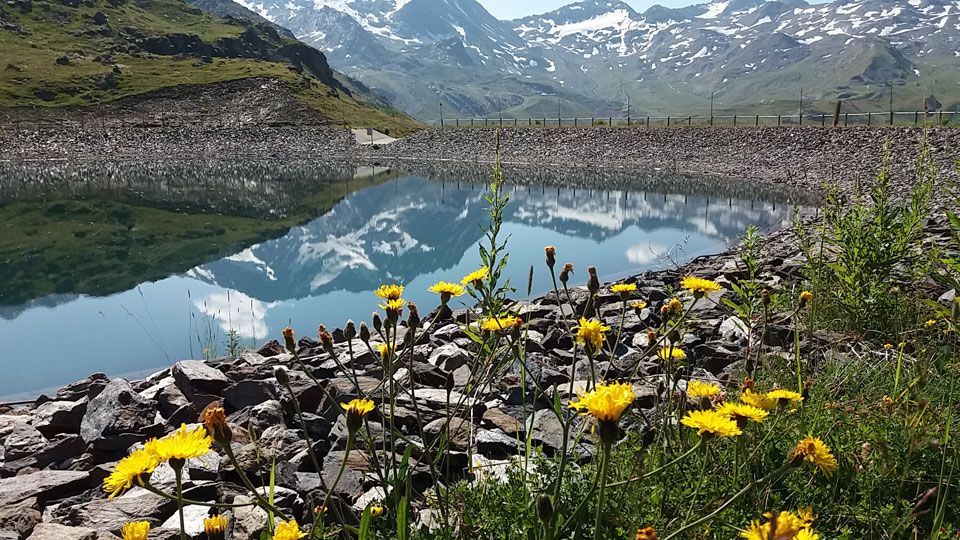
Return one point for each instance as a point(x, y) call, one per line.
point(799, 157)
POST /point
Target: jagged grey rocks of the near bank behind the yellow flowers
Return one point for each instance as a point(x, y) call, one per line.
point(56, 451)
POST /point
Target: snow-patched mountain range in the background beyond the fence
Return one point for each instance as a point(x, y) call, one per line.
point(590, 56)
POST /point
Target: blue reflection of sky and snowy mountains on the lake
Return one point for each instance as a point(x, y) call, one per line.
point(411, 231)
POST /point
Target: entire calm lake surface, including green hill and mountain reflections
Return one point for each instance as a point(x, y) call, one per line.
point(128, 268)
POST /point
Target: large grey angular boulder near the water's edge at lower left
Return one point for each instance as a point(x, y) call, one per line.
point(117, 410)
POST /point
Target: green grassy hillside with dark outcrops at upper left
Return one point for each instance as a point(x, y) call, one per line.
point(73, 53)
